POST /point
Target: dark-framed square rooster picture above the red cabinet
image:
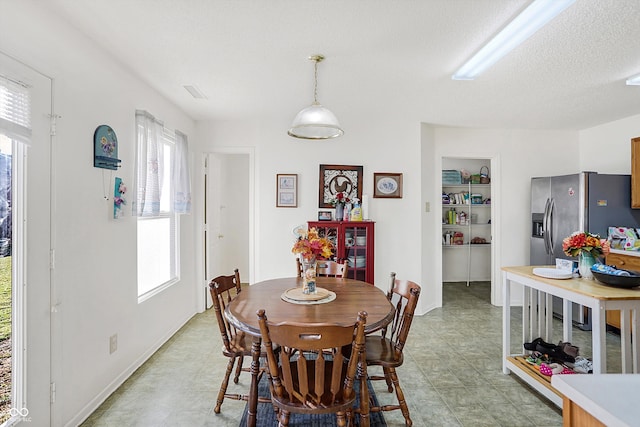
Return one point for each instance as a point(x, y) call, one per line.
point(336, 179)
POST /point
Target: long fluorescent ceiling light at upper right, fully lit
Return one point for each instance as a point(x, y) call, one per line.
point(521, 28)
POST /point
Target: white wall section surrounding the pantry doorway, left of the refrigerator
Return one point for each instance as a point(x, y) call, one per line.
point(517, 155)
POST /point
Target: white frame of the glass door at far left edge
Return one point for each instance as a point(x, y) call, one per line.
point(40, 348)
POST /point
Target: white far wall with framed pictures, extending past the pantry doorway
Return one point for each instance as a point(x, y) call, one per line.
point(400, 224)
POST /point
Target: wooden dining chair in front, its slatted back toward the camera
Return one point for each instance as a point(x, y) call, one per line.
point(310, 374)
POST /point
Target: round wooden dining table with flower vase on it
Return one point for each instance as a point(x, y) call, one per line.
point(351, 297)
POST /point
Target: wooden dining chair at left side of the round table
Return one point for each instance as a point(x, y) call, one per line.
point(236, 345)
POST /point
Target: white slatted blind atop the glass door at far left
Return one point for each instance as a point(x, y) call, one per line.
point(15, 109)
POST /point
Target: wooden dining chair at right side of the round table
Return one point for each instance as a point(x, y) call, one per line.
point(385, 350)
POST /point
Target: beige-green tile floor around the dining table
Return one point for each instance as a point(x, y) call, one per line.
point(452, 374)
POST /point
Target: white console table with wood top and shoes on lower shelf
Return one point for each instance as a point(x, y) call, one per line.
point(537, 318)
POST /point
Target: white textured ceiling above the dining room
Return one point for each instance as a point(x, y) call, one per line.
point(250, 58)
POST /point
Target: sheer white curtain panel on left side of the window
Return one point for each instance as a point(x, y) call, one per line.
point(150, 164)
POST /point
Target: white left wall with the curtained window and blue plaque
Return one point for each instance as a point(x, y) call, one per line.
point(95, 270)
